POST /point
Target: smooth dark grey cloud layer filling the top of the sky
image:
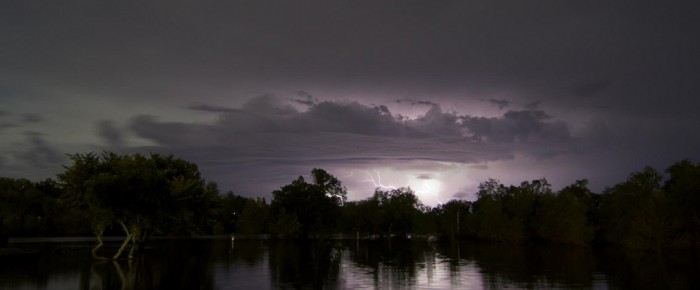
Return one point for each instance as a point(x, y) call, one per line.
point(415, 47)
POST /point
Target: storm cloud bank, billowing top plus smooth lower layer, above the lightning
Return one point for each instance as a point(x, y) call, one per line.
point(266, 132)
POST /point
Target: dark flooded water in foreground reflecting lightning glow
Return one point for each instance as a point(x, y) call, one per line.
point(347, 264)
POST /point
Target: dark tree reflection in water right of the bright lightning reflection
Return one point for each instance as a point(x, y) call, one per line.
point(505, 265)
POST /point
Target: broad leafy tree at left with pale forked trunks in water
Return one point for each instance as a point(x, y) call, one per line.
point(140, 193)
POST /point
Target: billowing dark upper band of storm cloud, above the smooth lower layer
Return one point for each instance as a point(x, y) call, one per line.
point(270, 115)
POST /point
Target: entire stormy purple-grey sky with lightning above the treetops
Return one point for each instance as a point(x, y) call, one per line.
point(436, 95)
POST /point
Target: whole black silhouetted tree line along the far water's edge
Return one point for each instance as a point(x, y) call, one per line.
point(138, 196)
